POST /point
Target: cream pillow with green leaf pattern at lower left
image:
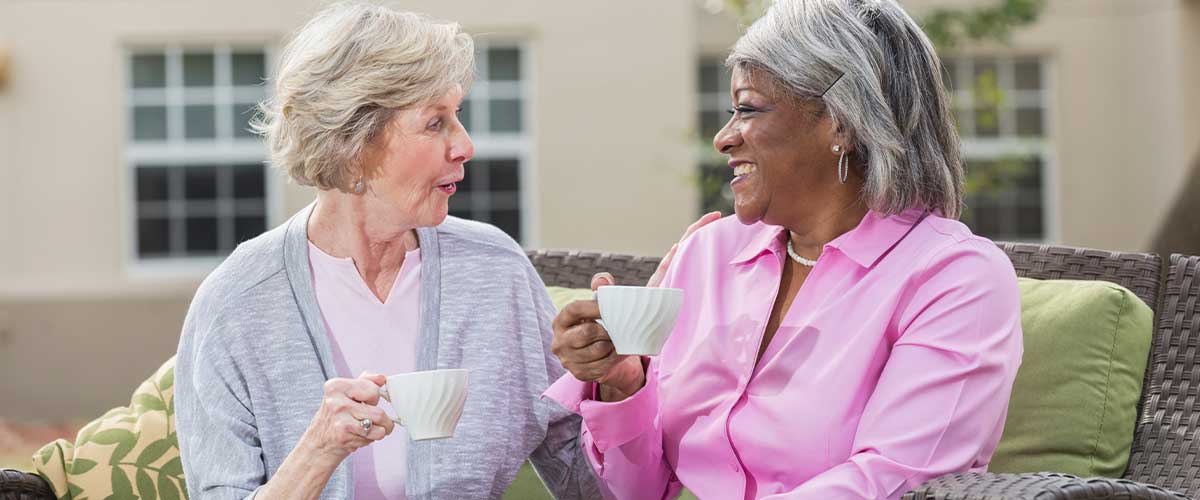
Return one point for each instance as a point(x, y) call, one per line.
point(129, 453)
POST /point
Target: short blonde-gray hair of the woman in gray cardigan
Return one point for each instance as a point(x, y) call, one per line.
point(344, 76)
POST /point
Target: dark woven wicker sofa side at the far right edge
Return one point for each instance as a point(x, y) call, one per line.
point(1167, 444)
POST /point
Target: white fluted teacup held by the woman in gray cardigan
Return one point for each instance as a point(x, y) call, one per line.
point(428, 403)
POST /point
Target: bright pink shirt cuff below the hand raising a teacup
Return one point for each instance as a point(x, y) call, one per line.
point(614, 425)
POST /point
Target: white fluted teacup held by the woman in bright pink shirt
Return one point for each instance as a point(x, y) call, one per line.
point(639, 318)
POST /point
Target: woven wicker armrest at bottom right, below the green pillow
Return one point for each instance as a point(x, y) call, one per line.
point(1040, 486)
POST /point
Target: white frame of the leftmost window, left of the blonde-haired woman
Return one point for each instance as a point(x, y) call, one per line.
point(177, 152)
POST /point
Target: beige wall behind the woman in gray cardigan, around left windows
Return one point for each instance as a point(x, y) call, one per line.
point(611, 164)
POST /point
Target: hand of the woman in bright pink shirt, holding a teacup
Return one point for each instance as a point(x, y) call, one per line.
point(586, 351)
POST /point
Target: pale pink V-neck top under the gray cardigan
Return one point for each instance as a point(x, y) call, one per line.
point(369, 336)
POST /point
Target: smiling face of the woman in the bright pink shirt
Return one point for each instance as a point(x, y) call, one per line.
point(781, 149)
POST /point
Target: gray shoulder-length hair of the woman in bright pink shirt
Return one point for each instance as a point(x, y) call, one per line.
point(881, 83)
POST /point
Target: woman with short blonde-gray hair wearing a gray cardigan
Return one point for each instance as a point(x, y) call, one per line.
point(371, 279)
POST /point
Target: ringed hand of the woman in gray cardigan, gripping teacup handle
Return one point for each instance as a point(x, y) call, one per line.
point(337, 431)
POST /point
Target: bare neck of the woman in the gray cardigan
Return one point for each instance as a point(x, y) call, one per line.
point(352, 226)
